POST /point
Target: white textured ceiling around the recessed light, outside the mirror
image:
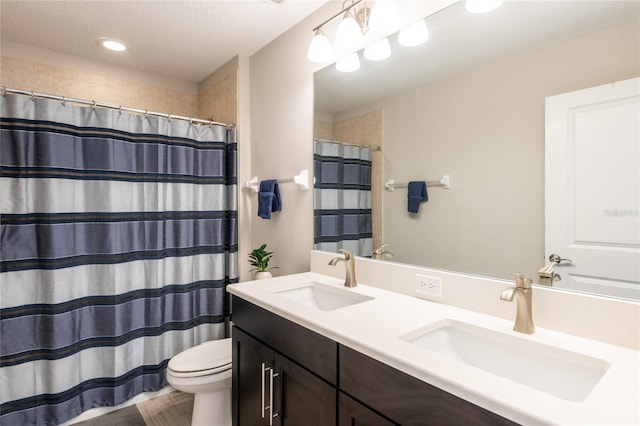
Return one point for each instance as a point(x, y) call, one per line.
point(181, 39)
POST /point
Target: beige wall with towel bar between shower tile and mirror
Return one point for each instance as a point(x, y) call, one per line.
point(281, 145)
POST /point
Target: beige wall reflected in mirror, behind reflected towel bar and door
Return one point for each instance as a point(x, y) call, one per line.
point(485, 128)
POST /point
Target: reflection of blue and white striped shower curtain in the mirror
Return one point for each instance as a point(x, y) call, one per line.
point(342, 198)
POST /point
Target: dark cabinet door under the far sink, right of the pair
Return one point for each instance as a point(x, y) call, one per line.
point(301, 397)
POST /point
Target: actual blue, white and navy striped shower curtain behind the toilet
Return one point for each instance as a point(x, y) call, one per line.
point(119, 236)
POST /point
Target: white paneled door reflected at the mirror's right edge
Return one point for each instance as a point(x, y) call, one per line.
point(592, 188)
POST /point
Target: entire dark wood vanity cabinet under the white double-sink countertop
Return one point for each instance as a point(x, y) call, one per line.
point(311, 380)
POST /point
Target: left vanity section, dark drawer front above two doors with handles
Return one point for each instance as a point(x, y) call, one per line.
point(268, 371)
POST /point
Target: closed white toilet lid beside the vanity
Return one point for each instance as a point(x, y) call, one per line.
point(213, 355)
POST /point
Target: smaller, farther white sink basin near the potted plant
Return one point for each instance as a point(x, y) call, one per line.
point(321, 296)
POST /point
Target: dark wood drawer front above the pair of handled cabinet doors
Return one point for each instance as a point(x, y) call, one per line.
point(315, 352)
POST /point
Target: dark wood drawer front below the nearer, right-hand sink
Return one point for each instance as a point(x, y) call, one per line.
point(405, 399)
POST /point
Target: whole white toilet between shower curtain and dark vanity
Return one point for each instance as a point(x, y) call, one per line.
point(205, 371)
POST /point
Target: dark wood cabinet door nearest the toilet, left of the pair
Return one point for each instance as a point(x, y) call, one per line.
point(250, 393)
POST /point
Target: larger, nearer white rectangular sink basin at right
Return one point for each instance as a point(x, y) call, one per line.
point(564, 374)
